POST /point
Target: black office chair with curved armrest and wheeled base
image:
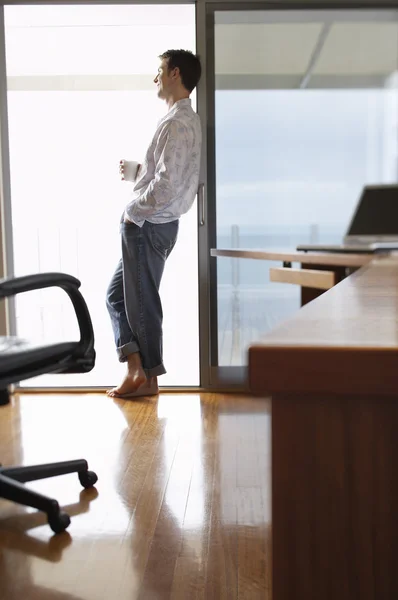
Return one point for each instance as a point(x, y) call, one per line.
point(21, 359)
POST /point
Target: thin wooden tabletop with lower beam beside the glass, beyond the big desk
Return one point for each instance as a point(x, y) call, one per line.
point(318, 270)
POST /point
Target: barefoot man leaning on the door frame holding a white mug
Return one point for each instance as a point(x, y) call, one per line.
point(165, 186)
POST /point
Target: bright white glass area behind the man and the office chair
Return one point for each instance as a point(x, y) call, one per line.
point(81, 97)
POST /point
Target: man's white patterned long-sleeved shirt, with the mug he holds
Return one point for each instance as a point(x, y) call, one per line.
point(168, 179)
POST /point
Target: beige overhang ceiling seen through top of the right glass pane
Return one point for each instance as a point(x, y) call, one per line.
point(314, 54)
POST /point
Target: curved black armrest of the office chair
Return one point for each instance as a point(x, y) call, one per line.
point(10, 286)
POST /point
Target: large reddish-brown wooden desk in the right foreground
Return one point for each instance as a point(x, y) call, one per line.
point(332, 372)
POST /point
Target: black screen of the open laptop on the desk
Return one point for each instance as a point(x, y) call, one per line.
point(377, 212)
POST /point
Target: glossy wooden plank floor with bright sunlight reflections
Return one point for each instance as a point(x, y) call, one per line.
point(181, 509)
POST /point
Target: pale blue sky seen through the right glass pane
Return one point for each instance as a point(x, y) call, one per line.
point(293, 158)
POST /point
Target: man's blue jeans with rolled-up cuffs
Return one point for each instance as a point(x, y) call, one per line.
point(133, 299)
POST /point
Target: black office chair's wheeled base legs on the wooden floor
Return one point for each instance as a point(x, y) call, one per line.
point(12, 488)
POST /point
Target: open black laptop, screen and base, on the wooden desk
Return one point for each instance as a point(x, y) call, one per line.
point(373, 226)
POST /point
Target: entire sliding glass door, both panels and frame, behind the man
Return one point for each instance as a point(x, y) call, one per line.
point(299, 111)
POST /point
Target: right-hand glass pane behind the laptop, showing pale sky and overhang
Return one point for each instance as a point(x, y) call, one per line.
point(306, 114)
